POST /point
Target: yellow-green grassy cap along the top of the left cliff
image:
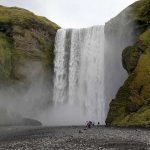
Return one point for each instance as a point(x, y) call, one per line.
point(16, 16)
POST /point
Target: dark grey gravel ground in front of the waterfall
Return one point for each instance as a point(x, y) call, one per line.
point(69, 138)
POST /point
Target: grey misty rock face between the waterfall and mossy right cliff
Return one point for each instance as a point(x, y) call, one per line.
point(119, 33)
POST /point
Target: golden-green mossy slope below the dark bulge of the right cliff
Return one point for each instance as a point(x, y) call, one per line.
point(134, 95)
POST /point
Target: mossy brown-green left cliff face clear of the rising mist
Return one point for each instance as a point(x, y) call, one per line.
point(24, 37)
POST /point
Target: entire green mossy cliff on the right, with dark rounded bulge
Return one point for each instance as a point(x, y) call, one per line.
point(132, 103)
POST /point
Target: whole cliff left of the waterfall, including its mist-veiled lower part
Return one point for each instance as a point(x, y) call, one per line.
point(26, 62)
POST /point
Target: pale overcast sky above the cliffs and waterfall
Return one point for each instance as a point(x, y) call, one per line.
point(73, 13)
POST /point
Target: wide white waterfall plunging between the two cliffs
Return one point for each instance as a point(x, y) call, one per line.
point(79, 73)
